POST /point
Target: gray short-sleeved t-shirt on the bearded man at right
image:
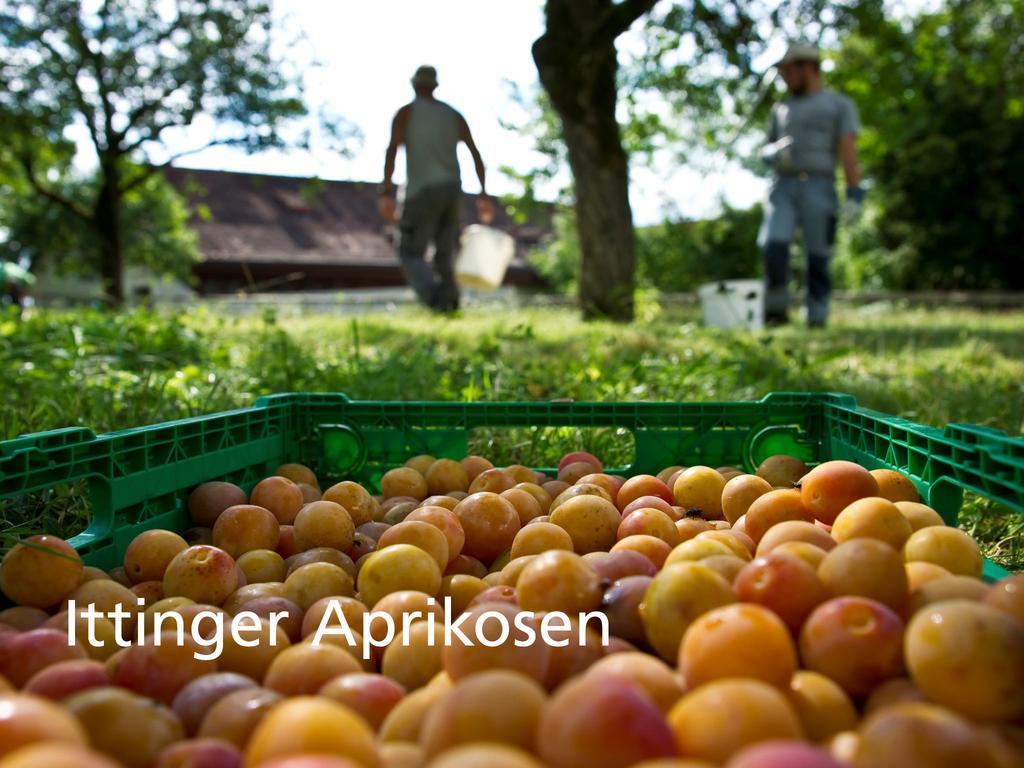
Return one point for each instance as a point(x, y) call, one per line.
point(816, 122)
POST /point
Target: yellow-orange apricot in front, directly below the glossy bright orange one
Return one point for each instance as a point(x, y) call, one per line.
point(719, 719)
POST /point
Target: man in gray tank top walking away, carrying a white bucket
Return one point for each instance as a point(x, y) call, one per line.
point(431, 132)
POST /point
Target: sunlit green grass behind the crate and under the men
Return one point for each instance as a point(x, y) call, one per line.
point(82, 368)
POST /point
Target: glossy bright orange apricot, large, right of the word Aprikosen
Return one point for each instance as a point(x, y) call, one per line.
point(740, 641)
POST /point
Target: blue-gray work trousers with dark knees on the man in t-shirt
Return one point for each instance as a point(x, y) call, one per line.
point(810, 203)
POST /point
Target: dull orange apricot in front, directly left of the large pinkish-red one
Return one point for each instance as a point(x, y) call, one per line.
point(498, 707)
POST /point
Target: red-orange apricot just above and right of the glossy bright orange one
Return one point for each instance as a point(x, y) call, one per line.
point(784, 584)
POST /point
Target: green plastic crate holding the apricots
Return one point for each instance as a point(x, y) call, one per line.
point(141, 479)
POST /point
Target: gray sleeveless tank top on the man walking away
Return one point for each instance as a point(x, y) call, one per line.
point(432, 140)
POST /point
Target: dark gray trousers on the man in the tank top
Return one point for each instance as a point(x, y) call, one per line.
point(432, 216)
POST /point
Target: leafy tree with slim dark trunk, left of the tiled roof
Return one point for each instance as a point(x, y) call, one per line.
point(129, 72)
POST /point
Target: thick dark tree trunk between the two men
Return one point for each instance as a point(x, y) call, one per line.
point(578, 66)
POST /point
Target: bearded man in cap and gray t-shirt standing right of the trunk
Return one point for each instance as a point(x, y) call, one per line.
point(810, 133)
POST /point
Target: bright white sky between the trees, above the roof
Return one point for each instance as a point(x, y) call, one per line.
point(367, 54)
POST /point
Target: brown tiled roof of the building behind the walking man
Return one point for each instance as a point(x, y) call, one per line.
point(252, 219)
